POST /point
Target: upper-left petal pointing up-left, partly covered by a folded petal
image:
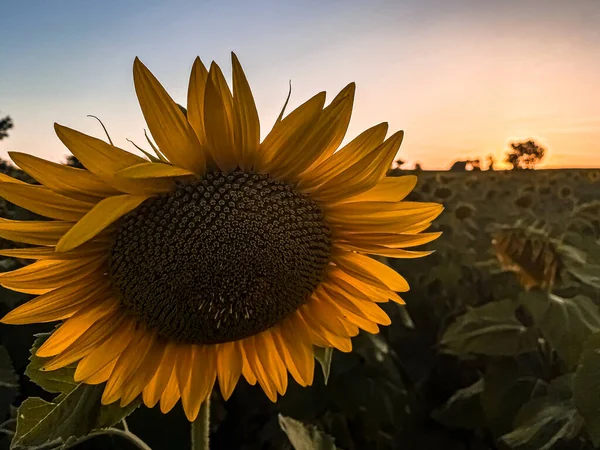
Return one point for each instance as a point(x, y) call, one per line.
point(105, 160)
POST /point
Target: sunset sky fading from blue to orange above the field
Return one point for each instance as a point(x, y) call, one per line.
point(462, 78)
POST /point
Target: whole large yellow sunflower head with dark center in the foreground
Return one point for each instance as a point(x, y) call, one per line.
point(223, 256)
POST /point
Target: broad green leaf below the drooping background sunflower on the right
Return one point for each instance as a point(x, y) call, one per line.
point(491, 329)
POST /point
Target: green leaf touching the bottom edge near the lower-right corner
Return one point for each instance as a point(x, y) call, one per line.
point(545, 421)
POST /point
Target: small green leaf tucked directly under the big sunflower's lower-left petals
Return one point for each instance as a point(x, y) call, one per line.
point(55, 381)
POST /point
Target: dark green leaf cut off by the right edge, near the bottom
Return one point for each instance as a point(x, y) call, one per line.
point(587, 387)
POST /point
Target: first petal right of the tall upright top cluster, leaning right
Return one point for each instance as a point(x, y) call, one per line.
point(283, 140)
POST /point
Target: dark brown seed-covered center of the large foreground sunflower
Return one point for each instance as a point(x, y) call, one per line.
point(220, 259)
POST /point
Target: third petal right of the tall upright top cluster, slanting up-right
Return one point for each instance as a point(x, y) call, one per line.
point(341, 160)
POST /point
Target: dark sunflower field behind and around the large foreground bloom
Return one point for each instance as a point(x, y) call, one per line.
point(481, 357)
